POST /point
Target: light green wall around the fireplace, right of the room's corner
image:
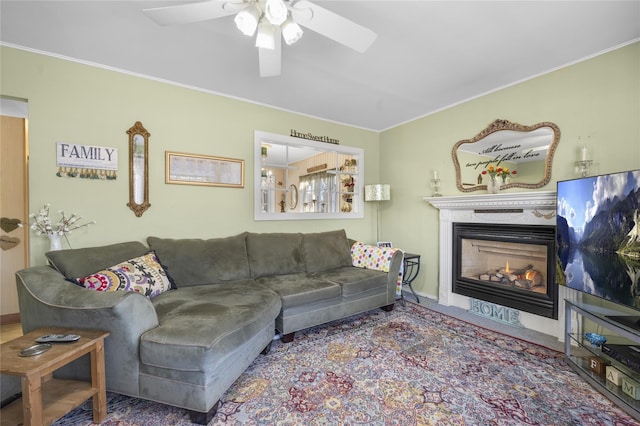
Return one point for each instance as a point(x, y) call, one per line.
point(597, 98)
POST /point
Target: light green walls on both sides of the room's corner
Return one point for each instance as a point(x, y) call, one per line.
point(598, 98)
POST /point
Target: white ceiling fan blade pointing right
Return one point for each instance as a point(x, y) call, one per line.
point(333, 26)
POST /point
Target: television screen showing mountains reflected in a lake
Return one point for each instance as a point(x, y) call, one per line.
point(598, 236)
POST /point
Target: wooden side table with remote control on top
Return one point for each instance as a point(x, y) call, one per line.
point(45, 399)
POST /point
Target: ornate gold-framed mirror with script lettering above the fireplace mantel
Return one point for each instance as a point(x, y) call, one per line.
point(527, 150)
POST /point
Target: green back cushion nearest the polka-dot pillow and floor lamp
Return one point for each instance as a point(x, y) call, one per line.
point(326, 250)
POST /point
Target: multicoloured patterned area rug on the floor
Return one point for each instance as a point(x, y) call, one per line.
point(412, 366)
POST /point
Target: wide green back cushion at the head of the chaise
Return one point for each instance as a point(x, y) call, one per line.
point(190, 262)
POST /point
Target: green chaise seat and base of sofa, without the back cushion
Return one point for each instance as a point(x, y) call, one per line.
point(207, 336)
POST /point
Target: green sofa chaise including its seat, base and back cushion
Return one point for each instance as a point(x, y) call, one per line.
point(212, 328)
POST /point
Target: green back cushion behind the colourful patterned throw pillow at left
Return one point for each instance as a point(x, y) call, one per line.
point(76, 263)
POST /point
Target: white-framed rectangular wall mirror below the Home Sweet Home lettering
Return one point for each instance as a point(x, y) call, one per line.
point(302, 179)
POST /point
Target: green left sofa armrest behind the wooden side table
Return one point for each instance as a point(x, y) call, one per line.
point(46, 298)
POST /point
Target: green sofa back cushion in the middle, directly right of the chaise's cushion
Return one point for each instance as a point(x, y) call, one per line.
point(275, 254)
